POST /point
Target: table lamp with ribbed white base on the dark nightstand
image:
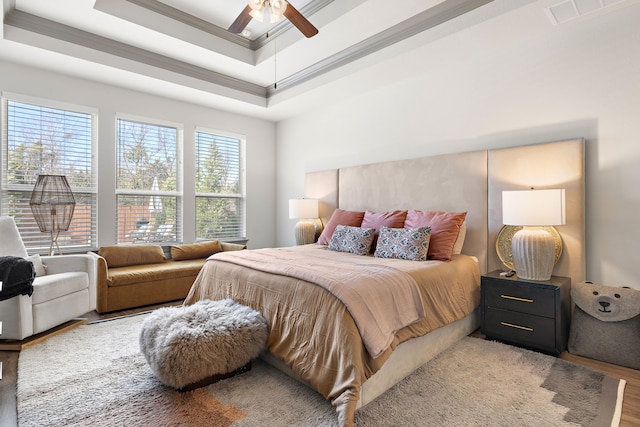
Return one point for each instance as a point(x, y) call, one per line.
point(533, 248)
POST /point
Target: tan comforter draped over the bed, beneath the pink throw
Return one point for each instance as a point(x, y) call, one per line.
point(311, 330)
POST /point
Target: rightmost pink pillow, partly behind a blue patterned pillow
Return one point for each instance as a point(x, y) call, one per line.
point(445, 227)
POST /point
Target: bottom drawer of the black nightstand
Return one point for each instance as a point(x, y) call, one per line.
point(527, 329)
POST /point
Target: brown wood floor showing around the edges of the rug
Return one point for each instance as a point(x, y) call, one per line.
point(630, 407)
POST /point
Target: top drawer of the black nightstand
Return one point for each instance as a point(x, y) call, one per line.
point(522, 298)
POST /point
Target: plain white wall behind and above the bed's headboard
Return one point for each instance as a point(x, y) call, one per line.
point(513, 80)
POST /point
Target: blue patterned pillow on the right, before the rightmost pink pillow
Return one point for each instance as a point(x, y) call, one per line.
point(403, 243)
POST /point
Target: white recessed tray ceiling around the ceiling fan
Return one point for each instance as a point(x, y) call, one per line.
point(181, 48)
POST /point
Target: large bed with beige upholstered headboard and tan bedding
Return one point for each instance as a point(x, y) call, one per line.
point(314, 335)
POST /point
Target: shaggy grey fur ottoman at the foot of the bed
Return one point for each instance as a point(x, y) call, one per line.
point(192, 346)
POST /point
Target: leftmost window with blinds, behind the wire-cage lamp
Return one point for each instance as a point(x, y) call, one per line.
point(44, 138)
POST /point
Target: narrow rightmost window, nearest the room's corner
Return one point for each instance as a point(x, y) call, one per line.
point(219, 186)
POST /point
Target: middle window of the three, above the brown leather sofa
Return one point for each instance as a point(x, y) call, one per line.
point(147, 183)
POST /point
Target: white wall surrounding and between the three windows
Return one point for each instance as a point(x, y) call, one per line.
point(109, 100)
